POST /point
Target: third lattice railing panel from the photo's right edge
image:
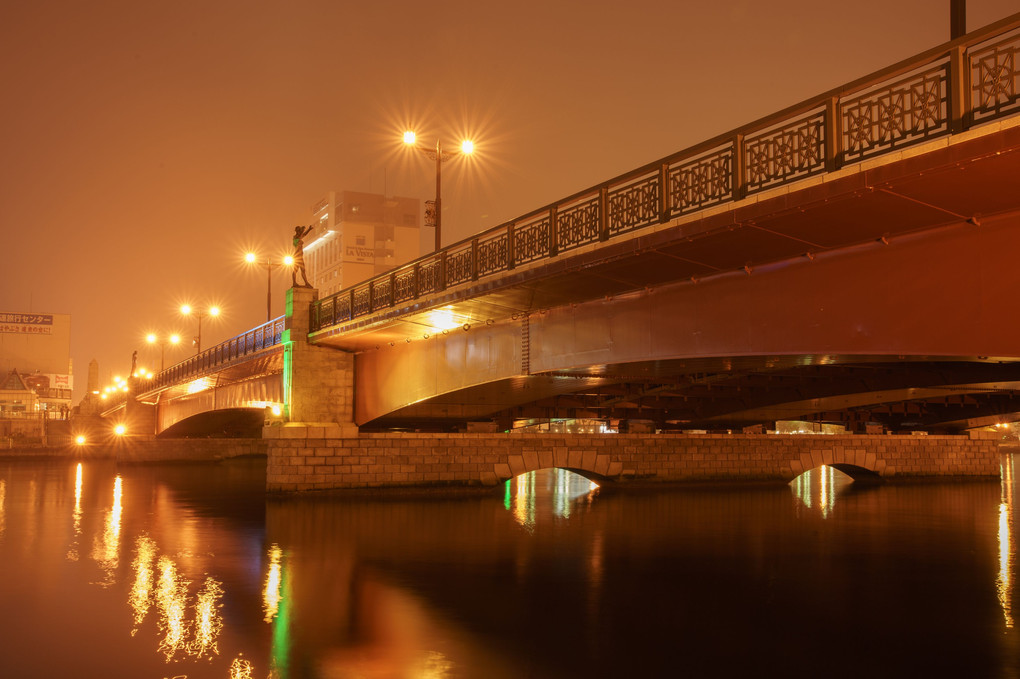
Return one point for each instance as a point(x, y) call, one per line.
point(792, 152)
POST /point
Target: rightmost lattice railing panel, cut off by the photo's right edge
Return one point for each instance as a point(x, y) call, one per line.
point(995, 80)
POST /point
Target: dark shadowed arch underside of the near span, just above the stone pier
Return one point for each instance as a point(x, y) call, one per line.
point(723, 394)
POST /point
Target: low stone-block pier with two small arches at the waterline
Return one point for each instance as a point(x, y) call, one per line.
point(309, 459)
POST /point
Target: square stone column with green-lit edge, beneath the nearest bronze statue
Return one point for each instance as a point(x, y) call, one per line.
point(319, 383)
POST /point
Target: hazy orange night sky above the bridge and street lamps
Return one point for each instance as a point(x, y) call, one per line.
point(144, 146)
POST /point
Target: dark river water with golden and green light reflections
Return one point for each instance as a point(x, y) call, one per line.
point(111, 570)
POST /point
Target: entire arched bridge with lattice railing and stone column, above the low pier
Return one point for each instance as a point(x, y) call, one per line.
point(846, 260)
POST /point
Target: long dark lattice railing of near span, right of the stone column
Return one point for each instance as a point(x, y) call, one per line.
point(952, 88)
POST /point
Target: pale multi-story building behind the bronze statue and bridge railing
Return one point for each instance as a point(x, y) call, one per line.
point(356, 236)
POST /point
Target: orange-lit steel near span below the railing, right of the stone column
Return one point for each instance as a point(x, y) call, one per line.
point(884, 295)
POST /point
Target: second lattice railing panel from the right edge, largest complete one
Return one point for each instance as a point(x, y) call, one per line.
point(905, 113)
